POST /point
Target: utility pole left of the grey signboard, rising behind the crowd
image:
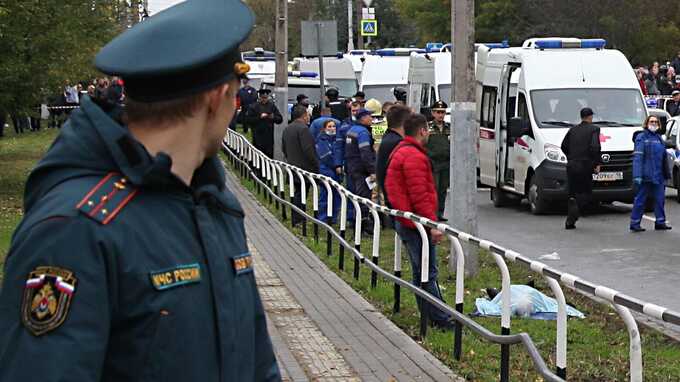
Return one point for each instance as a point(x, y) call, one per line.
point(281, 80)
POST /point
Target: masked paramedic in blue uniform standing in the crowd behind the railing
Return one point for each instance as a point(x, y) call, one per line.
point(324, 151)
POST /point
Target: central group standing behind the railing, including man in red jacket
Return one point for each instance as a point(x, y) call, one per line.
point(382, 152)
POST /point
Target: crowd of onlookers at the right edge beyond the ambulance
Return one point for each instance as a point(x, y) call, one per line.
point(660, 80)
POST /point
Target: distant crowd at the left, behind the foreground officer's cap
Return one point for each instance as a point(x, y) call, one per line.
point(53, 112)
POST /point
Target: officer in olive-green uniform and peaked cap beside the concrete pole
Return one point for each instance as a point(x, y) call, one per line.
point(438, 149)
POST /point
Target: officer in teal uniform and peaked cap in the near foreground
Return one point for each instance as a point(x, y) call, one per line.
point(131, 261)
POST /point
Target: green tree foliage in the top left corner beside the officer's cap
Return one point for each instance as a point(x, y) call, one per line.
point(47, 42)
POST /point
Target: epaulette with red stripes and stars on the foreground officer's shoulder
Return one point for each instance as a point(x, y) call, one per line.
point(105, 200)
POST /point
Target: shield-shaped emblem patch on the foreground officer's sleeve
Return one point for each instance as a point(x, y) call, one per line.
point(47, 298)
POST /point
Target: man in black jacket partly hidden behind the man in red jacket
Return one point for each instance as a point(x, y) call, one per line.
point(395, 133)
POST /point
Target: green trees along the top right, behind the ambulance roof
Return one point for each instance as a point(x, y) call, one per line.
point(642, 32)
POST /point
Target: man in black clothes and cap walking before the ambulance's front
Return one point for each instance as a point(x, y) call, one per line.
point(581, 145)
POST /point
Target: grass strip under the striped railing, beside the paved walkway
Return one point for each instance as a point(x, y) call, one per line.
point(598, 345)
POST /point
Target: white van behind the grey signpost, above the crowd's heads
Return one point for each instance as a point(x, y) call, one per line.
point(338, 72)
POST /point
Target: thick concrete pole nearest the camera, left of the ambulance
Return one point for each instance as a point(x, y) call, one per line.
point(463, 179)
